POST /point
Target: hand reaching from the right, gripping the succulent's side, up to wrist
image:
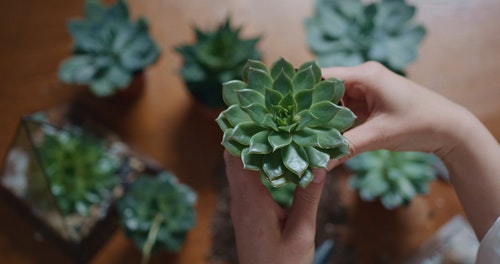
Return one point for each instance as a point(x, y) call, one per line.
point(395, 113)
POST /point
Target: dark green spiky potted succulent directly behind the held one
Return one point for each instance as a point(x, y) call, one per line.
point(216, 57)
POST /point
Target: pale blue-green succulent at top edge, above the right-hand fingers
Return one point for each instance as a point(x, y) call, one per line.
point(346, 33)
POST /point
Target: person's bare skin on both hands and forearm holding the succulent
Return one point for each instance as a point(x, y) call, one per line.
point(395, 114)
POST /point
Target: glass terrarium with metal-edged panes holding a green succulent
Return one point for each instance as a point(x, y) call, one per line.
point(65, 171)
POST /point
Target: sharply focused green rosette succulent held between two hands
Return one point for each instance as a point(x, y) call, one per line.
point(284, 121)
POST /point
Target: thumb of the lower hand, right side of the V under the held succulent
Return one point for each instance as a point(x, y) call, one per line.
point(302, 215)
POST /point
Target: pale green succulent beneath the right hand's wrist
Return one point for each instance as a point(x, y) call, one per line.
point(394, 177)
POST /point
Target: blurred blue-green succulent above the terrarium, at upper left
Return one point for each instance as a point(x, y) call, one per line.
point(108, 48)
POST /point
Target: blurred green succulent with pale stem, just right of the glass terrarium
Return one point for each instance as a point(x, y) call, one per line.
point(157, 212)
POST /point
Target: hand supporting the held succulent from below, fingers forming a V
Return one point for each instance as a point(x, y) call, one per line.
point(265, 233)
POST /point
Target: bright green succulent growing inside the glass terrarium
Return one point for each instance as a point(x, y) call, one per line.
point(80, 170)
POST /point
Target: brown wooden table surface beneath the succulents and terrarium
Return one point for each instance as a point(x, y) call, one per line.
point(459, 58)
